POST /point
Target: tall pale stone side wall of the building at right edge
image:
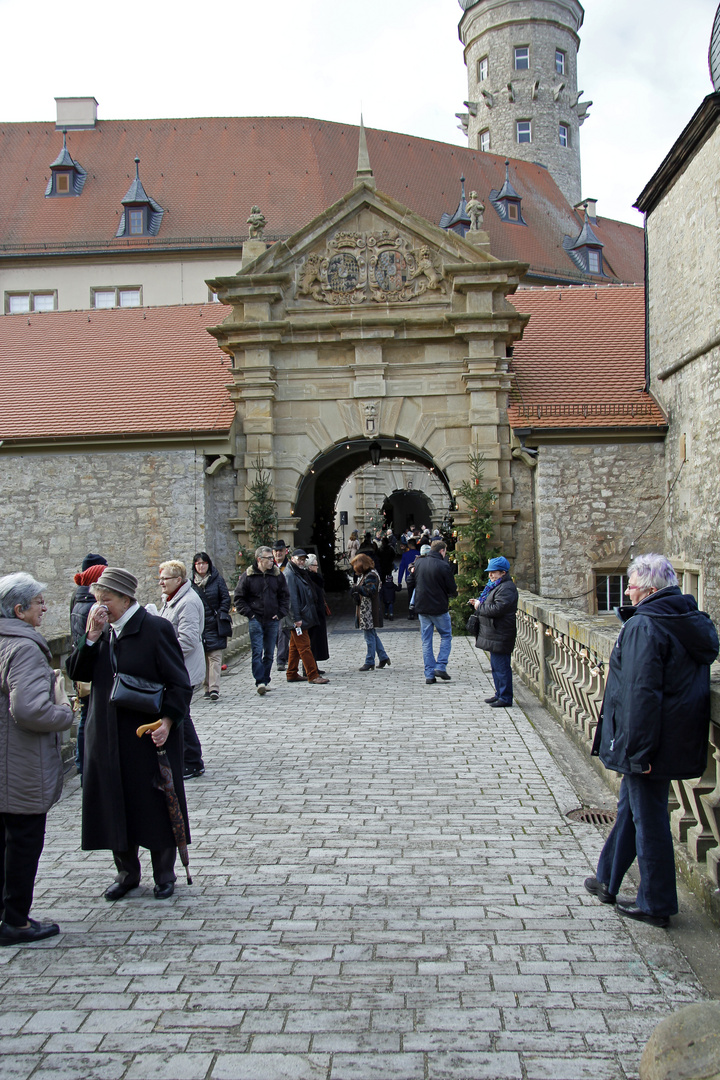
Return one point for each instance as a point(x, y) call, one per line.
point(685, 318)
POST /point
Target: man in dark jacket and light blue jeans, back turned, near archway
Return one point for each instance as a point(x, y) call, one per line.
point(434, 586)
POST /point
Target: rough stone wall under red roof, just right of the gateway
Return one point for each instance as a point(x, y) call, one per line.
point(592, 502)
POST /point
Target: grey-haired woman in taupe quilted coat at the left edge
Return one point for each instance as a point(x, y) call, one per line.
point(34, 711)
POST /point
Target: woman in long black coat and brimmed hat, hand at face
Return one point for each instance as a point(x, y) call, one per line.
point(123, 811)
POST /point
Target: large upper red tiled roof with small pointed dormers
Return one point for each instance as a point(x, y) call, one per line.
point(208, 173)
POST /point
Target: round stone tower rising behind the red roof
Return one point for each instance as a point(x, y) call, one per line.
point(522, 59)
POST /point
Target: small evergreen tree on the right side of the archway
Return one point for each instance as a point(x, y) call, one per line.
point(474, 547)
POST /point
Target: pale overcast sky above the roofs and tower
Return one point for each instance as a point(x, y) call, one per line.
point(644, 64)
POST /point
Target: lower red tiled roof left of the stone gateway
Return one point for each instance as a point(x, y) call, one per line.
point(124, 372)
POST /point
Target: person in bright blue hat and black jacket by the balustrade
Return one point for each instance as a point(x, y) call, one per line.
point(496, 610)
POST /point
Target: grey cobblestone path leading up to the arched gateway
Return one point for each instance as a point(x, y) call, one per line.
point(387, 888)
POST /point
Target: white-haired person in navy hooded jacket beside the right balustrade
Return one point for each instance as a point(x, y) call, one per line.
point(654, 728)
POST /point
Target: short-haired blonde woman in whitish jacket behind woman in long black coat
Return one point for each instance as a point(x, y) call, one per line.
point(184, 609)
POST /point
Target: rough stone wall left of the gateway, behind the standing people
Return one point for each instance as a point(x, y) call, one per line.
point(137, 508)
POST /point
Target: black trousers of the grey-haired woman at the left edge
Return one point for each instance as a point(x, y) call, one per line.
point(22, 841)
